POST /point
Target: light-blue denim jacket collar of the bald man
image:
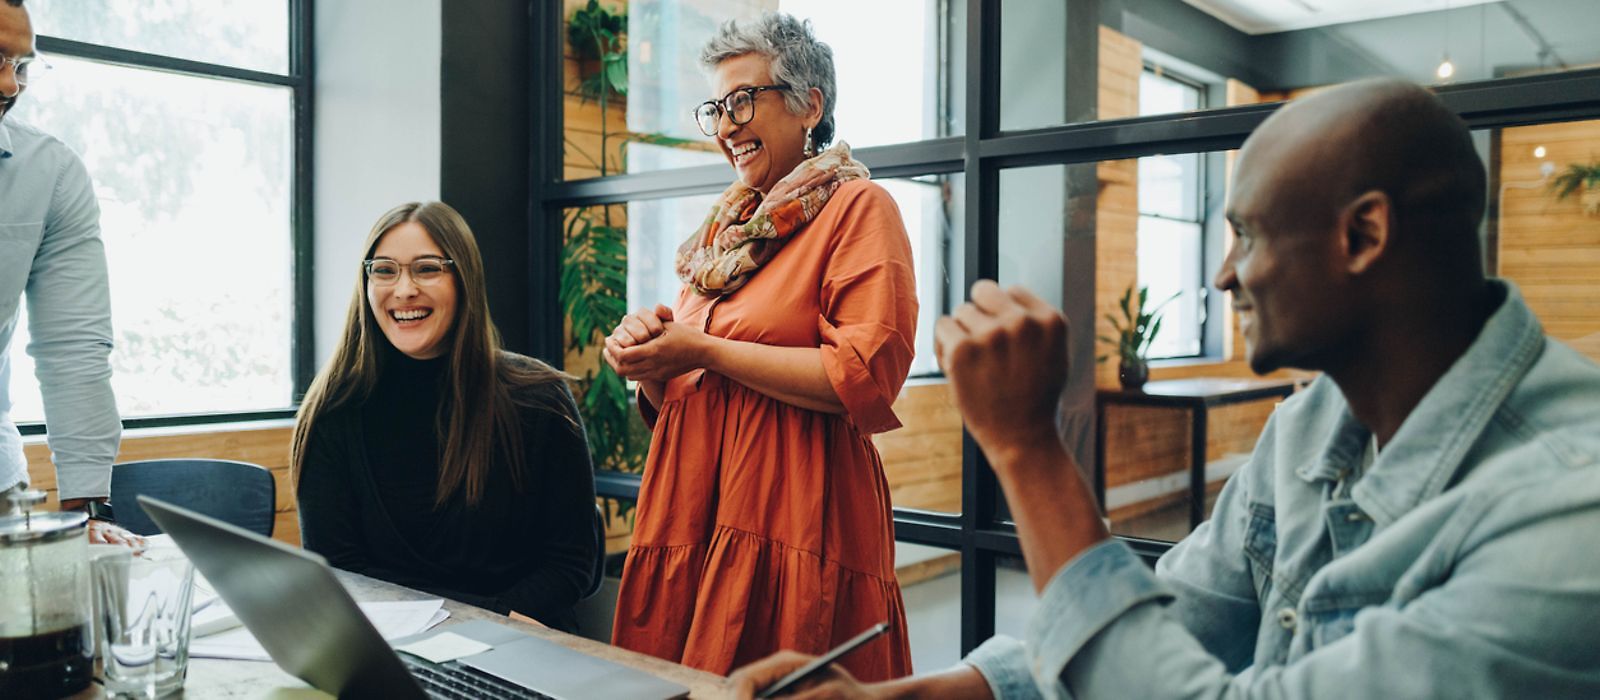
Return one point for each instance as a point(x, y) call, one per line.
point(1426, 453)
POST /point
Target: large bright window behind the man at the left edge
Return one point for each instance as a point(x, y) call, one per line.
point(190, 117)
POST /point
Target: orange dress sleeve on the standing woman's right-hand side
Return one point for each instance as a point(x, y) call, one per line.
point(868, 308)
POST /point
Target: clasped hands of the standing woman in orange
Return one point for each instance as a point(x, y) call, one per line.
point(649, 346)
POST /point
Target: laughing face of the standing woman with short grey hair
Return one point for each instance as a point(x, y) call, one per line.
point(772, 145)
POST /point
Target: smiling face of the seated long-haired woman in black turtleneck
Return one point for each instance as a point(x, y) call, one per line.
point(417, 319)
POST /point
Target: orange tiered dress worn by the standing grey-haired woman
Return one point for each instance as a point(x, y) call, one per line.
point(761, 525)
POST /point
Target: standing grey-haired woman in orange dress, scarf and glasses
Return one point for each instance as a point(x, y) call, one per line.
point(764, 519)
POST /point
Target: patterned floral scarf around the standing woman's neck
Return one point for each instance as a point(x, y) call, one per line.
point(745, 231)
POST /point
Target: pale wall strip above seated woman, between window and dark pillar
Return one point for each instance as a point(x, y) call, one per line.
point(378, 133)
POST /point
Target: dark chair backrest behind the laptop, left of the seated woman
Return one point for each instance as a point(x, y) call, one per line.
point(238, 493)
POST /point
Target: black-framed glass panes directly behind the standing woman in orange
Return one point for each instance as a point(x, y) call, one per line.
point(631, 79)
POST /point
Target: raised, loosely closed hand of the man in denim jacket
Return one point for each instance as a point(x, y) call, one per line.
point(1006, 356)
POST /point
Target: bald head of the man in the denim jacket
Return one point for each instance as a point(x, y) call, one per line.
point(1343, 204)
